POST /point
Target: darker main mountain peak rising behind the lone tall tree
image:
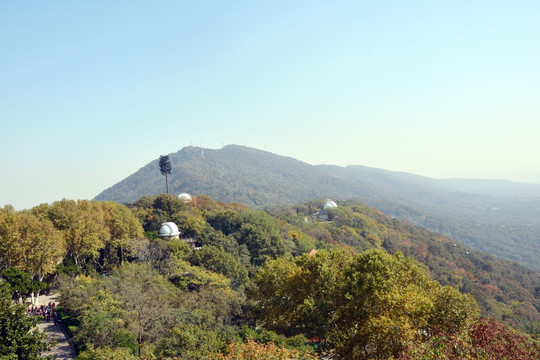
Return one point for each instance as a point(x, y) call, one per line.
point(234, 173)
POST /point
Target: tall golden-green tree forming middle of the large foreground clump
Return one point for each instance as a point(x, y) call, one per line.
point(387, 304)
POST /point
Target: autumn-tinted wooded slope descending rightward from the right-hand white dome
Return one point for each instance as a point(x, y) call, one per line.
point(502, 288)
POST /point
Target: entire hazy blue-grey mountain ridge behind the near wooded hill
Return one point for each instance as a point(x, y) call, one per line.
point(500, 217)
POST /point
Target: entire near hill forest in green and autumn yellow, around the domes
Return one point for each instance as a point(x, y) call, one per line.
point(241, 283)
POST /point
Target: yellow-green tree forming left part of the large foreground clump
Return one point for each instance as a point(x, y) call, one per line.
point(301, 296)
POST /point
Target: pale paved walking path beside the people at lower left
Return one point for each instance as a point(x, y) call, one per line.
point(64, 349)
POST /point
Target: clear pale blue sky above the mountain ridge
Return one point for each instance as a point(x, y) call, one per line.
point(91, 91)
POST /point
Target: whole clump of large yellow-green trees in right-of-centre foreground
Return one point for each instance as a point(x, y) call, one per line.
point(371, 305)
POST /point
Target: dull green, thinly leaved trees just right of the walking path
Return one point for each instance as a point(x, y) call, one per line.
point(130, 308)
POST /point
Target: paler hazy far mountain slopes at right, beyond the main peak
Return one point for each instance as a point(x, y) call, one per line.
point(492, 216)
